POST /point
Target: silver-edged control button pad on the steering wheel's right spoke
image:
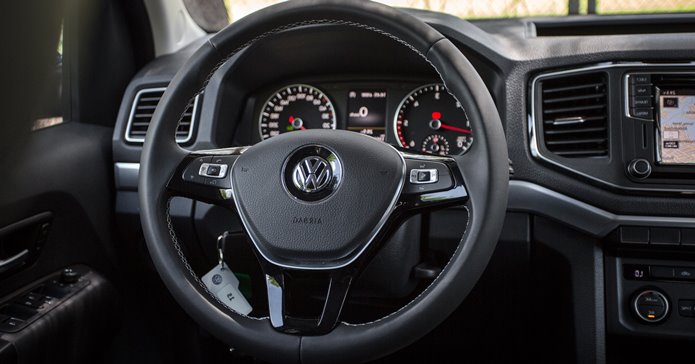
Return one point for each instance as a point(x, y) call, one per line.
point(427, 177)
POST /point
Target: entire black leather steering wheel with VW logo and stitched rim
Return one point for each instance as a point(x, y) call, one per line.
point(324, 201)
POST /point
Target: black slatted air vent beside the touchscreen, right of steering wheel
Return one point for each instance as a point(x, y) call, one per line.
point(574, 112)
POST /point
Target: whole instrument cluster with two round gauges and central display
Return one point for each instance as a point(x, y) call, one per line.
point(422, 117)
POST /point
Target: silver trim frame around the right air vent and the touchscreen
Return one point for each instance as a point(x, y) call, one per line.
point(531, 112)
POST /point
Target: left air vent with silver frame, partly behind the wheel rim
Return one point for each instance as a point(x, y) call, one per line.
point(145, 103)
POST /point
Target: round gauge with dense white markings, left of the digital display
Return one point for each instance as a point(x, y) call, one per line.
point(296, 107)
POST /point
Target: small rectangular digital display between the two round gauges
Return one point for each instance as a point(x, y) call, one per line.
point(367, 112)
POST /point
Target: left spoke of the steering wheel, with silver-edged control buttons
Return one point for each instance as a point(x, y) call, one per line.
point(206, 176)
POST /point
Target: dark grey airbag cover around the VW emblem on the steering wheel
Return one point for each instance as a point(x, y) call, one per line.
point(372, 173)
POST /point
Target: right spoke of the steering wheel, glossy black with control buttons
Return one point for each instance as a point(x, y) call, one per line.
point(431, 182)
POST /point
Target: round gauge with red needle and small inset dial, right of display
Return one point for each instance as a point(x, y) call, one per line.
point(429, 119)
